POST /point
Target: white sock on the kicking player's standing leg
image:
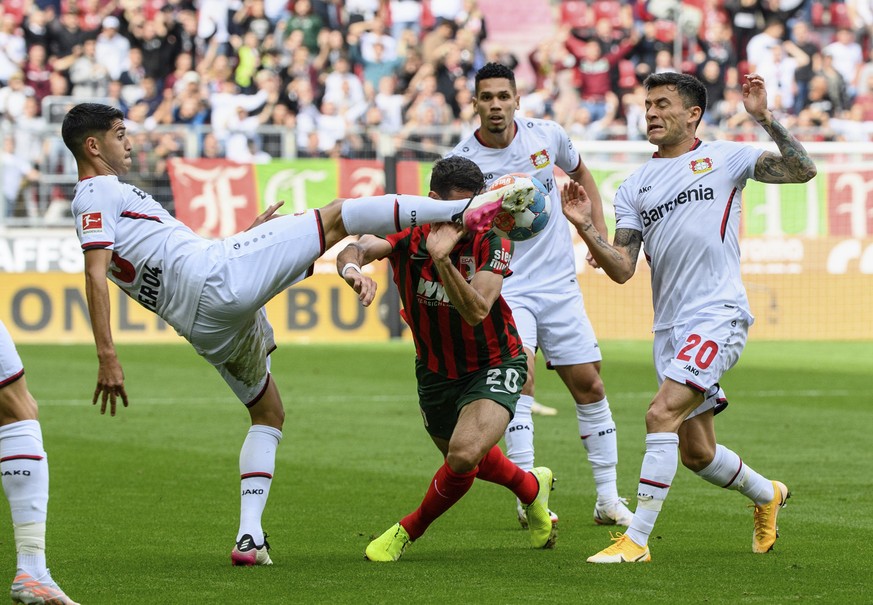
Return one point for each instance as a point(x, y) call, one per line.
point(257, 461)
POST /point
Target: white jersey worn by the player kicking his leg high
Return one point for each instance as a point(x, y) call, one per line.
point(156, 259)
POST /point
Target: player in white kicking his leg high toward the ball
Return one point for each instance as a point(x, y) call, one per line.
point(213, 292)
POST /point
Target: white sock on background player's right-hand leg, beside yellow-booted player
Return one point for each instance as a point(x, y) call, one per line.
point(597, 431)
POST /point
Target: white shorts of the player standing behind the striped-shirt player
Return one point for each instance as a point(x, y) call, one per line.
point(557, 324)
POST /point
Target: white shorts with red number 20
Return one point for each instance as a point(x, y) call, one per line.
point(699, 353)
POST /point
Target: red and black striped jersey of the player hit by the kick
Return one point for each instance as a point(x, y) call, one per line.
point(444, 342)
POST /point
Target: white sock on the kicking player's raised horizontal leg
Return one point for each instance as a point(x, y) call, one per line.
point(386, 214)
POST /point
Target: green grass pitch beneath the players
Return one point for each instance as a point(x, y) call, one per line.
point(144, 506)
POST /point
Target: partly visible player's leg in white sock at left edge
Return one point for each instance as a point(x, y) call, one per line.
point(24, 470)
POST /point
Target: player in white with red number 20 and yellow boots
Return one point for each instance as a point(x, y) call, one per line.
point(684, 204)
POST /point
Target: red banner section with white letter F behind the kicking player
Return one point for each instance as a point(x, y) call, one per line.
point(216, 198)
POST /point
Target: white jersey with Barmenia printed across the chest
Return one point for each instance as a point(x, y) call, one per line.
point(688, 210)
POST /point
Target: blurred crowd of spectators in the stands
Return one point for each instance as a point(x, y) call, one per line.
point(338, 74)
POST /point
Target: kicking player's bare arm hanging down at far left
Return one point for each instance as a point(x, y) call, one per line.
point(110, 376)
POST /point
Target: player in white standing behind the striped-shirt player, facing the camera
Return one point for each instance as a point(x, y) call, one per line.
point(543, 291)
